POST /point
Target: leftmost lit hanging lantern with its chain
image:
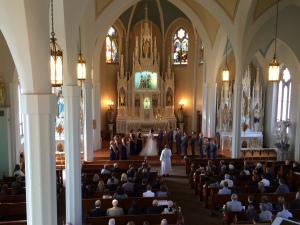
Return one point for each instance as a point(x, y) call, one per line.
point(56, 58)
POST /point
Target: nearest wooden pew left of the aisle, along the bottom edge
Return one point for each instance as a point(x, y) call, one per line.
point(137, 219)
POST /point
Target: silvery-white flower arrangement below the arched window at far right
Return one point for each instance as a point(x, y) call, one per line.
point(281, 134)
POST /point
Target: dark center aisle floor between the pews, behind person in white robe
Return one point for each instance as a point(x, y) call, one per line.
point(193, 211)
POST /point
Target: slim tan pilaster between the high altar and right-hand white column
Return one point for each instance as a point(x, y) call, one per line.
point(194, 114)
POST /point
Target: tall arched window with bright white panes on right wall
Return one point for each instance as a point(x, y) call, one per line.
point(284, 96)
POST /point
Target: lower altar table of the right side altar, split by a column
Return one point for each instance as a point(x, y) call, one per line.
point(248, 140)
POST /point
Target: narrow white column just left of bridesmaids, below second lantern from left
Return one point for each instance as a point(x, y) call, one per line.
point(88, 121)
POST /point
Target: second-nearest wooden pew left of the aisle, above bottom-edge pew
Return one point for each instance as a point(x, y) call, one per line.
point(125, 203)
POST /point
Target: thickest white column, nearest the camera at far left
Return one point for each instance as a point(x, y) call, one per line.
point(39, 114)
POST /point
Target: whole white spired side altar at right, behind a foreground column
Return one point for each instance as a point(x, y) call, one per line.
point(252, 112)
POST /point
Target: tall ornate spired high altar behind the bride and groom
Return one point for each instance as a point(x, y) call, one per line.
point(146, 96)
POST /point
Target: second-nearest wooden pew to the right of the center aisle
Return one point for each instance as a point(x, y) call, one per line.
point(219, 200)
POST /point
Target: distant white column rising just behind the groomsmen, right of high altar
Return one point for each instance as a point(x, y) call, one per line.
point(211, 94)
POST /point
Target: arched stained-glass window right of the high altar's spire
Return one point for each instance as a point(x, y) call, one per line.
point(180, 46)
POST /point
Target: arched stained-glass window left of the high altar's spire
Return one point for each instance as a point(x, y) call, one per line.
point(111, 46)
